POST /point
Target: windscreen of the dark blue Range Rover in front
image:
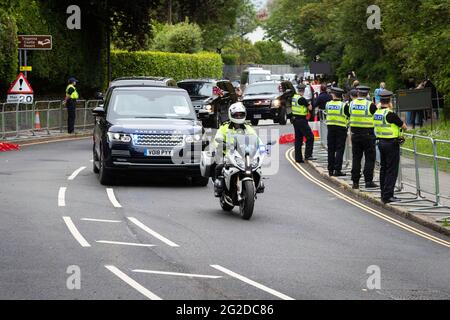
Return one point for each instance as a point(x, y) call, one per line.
point(149, 104)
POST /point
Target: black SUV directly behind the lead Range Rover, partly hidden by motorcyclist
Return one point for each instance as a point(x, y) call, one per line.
point(211, 99)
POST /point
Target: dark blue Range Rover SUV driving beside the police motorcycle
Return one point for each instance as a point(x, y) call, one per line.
point(144, 125)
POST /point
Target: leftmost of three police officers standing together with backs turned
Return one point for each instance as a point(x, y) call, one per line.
point(337, 123)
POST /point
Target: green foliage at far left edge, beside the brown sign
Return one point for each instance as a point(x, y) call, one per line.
point(8, 50)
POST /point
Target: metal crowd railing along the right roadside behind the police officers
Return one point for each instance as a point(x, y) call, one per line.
point(424, 176)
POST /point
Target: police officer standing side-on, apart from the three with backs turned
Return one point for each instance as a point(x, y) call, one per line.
point(300, 109)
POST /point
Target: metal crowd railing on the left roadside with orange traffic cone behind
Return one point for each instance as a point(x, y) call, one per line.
point(42, 116)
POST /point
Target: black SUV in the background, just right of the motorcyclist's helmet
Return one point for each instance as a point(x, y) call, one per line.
point(269, 100)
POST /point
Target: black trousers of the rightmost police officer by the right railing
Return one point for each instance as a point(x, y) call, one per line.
point(390, 160)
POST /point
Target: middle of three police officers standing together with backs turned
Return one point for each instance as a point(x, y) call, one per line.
point(361, 111)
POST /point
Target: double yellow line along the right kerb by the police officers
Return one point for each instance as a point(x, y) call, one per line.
point(291, 158)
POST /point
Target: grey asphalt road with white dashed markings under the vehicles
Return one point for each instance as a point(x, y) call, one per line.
point(153, 238)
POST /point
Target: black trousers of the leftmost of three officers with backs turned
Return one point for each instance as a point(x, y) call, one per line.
point(336, 138)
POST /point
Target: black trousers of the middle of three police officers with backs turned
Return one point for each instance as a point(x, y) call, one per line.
point(363, 145)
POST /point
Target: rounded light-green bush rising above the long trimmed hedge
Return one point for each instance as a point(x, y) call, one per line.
point(182, 37)
